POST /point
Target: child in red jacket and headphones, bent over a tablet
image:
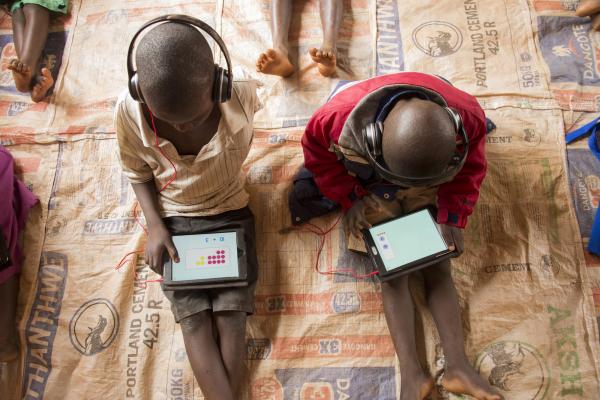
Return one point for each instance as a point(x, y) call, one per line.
point(394, 144)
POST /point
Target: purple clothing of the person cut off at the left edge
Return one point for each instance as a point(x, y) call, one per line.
point(15, 202)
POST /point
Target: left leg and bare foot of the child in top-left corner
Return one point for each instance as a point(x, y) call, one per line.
point(35, 32)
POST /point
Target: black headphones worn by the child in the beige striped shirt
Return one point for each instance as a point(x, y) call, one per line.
point(223, 83)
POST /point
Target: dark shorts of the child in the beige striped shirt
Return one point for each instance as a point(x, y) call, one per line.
point(185, 303)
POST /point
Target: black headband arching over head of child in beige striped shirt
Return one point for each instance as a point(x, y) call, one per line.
point(183, 19)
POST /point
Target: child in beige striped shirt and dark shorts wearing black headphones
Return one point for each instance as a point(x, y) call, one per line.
point(184, 129)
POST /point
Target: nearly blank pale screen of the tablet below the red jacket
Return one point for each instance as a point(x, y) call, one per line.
point(407, 239)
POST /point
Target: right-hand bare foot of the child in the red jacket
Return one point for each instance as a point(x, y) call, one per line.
point(465, 380)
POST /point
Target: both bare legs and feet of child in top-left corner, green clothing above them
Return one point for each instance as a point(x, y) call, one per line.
point(30, 22)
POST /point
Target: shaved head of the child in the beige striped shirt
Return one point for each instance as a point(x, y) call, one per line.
point(175, 71)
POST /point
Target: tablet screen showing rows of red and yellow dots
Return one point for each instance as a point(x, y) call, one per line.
point(206, 256)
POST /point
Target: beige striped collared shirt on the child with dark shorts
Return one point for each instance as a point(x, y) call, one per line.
point(208, 183)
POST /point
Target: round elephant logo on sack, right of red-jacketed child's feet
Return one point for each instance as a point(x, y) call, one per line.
point(515, 367)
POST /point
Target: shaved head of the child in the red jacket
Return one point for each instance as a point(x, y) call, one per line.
point(419, 138)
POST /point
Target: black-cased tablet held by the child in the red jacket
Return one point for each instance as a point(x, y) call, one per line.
point(405, 244)
